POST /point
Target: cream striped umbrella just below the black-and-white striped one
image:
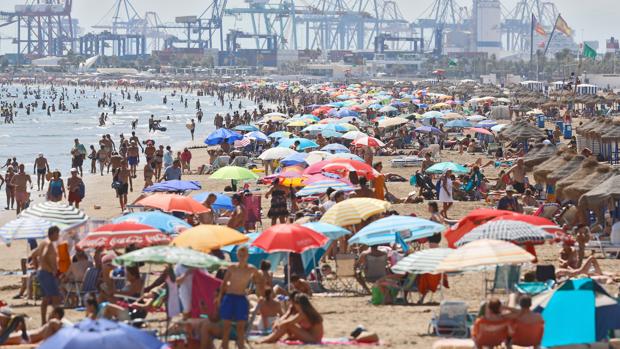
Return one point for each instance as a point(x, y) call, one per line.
point(482, 253)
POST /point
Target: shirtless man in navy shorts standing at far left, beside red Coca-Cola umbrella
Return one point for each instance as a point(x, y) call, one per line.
point(46, 257)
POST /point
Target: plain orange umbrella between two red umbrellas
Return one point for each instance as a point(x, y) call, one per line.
point(207, 237)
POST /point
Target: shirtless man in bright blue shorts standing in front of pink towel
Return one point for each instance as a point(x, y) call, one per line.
point(234, 305)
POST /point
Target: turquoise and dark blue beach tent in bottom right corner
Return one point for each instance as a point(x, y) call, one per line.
point(580, 311)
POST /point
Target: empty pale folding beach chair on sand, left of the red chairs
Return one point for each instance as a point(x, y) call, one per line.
point(452, 320)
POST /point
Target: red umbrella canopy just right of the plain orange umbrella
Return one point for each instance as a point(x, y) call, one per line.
point(289, 238)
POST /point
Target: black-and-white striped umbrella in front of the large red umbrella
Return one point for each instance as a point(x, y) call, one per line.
point(519, 233)
